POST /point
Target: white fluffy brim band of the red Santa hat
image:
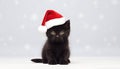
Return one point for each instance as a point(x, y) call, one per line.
point(55, 22)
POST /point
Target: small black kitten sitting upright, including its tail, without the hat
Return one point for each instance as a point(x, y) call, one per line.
point(56, 49)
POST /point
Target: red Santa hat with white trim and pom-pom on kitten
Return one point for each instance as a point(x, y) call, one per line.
point(51, 18)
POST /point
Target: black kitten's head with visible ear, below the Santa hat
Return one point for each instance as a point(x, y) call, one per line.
point(59, 33)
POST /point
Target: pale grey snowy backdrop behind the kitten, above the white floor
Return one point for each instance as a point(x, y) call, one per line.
point(95, 26)
